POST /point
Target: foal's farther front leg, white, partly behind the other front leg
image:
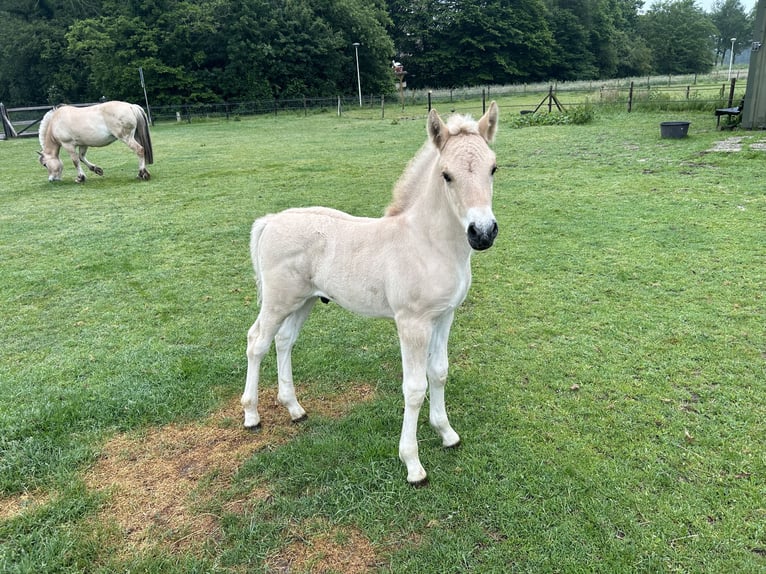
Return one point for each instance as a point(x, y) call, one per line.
point(438, 365)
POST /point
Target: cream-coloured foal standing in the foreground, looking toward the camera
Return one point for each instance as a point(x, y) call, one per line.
point(412, 265)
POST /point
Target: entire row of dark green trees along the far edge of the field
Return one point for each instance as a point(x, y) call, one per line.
point(240, 50)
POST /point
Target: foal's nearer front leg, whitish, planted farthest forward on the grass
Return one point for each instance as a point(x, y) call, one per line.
point(414, 335)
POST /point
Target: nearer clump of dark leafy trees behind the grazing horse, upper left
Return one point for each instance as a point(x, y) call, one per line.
point(191, 50)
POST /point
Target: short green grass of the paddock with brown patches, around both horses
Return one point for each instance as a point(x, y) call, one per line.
point(608, 368)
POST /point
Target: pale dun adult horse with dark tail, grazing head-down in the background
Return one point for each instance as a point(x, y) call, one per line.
point(77, 129)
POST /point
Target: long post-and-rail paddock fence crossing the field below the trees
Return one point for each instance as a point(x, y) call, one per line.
point(711, 91)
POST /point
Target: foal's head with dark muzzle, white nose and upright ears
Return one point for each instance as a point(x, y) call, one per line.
point(467, 167)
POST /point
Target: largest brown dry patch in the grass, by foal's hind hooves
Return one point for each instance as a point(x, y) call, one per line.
point(159, 479)
